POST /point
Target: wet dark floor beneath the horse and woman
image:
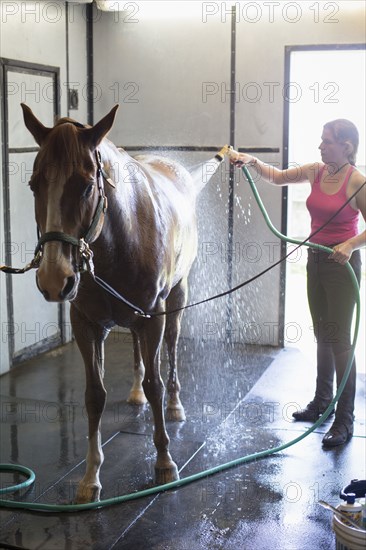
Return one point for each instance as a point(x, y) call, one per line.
point(238, 401)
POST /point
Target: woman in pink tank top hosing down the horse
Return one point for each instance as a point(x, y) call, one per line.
point(331, 294)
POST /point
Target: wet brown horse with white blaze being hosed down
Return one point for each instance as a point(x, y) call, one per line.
point(143, 245)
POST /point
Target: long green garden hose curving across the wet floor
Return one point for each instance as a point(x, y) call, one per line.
point(211, 471)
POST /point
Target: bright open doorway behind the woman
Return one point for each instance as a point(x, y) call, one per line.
point(322, 83)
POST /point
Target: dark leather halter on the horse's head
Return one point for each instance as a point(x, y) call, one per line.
point(82, 244)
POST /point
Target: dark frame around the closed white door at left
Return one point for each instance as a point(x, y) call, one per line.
point(8, 66)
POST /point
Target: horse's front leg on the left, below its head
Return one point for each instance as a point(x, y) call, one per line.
point(90, 339)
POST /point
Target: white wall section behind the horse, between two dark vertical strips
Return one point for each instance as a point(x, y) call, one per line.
point(166, 61)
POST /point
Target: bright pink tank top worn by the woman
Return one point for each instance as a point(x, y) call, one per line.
point(322, 207)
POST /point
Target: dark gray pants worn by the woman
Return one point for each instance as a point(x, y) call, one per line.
point(332, 298)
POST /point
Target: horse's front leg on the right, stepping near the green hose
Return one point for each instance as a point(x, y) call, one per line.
point(151, 338)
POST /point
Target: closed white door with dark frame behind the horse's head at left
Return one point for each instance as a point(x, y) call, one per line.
point(32, 325)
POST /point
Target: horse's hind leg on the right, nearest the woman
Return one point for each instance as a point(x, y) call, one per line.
point(177, 298)
